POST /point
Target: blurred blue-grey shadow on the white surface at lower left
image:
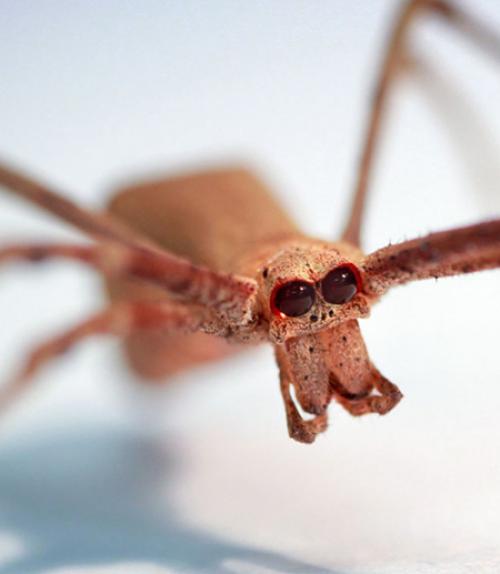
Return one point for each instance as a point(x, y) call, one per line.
point(92, 500)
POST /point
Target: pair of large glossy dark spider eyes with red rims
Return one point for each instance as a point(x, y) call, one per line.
point(296, 298)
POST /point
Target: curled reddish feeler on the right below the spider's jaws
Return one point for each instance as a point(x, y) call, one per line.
point(388, 397)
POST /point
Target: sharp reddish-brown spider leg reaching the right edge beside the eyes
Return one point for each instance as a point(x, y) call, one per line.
point(441, 254)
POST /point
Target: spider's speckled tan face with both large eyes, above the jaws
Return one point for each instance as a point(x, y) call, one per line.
point(310, 288)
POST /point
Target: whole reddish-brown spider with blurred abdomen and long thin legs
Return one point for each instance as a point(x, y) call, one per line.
point(193, 264)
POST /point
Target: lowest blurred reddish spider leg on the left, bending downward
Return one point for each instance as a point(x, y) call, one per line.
point(121, 319)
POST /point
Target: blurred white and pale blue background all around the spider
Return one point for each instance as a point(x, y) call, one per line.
point(98, 474)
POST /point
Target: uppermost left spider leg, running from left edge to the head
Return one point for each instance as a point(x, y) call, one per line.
point(232, 296)
